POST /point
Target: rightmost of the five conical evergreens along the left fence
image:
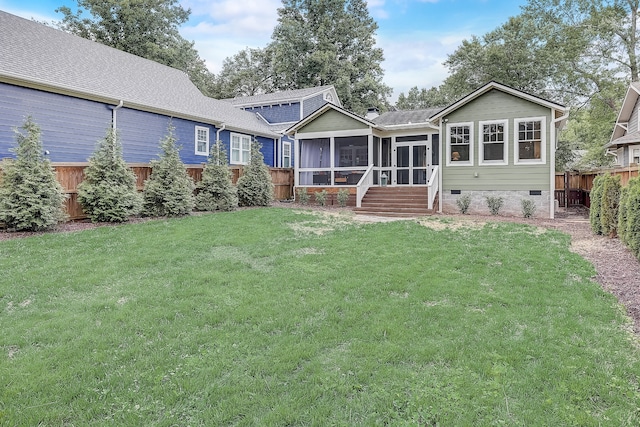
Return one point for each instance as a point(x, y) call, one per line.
point(255, 187)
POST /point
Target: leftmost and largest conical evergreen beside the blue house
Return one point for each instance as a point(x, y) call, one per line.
point(31, 198)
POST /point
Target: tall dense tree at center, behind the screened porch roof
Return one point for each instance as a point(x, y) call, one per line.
point(322, 42)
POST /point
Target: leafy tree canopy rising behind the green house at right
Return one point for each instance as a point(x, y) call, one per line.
point(581, 53)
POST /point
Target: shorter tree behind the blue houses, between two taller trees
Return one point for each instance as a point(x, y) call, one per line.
point(247, 73)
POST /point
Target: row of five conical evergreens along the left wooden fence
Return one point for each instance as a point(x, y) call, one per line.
point(31, 199)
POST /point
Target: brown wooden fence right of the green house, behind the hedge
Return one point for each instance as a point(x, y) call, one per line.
point(573, 188)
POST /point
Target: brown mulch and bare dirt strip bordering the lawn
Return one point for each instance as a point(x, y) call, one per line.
point(618, 271)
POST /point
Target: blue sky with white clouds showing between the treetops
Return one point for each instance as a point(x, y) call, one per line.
point(415, 35)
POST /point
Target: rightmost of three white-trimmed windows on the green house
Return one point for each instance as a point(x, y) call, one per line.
point(530, 141)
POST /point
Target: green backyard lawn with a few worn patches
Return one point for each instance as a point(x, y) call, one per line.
point(277, 317)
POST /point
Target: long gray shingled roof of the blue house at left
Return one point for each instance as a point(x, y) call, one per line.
point(39, 56)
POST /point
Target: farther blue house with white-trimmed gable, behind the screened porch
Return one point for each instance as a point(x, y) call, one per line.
point(281, 110)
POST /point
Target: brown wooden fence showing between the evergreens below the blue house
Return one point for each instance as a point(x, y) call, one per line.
point(70, 175)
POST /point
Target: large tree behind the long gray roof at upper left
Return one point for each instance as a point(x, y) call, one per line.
point(146, 28)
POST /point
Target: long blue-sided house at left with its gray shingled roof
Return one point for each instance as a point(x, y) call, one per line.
point(75, 89)
